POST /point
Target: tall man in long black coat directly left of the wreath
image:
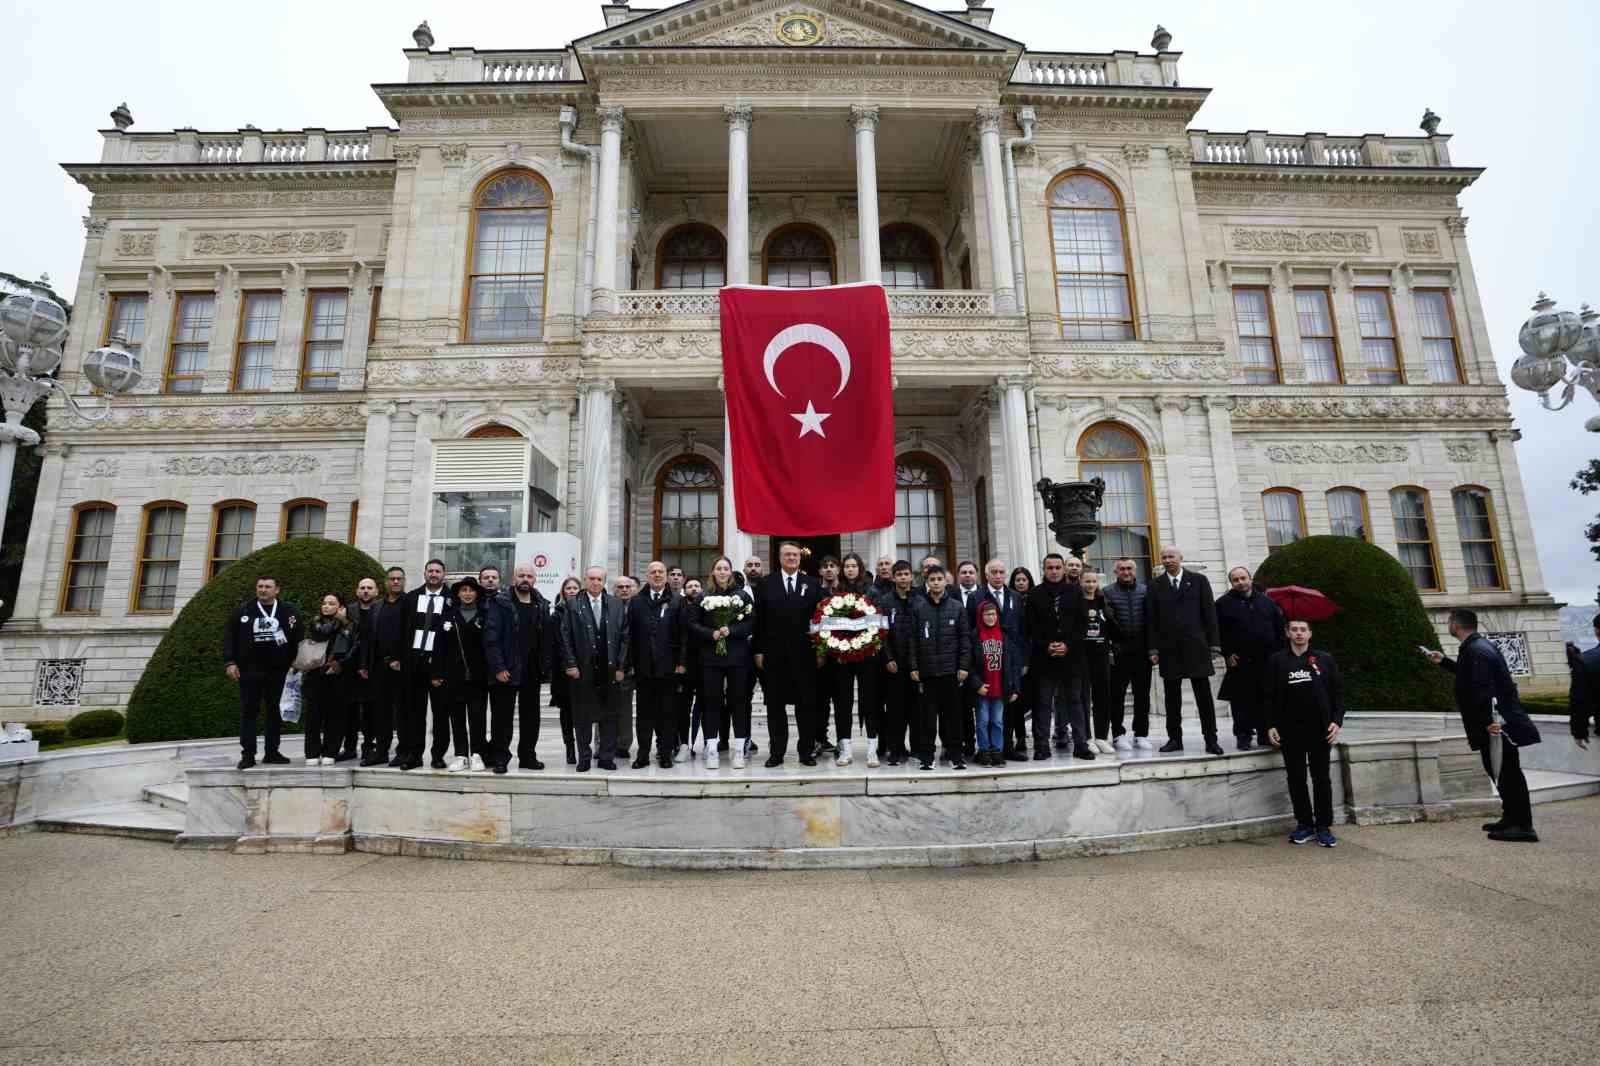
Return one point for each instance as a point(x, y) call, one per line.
point(785, 604)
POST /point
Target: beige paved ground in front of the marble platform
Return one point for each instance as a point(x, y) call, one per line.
point(1410, 944)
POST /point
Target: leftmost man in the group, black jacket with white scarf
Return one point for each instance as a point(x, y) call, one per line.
point(258, 647)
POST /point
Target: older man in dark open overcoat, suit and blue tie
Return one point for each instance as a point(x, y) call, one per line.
point(594, 654)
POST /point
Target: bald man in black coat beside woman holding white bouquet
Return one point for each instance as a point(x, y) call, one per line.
point(655, 625)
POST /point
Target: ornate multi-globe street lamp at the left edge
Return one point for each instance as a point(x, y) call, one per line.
point(31, 334)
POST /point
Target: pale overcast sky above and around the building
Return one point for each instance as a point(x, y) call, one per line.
point(1514, 84)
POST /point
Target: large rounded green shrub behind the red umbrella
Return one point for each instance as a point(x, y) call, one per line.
point(1377, 633)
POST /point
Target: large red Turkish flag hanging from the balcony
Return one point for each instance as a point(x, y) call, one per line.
point(810, 409)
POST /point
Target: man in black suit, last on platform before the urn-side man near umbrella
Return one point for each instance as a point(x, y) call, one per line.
point(1180, 625)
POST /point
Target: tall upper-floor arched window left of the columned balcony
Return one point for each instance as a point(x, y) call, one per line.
point(511, 226)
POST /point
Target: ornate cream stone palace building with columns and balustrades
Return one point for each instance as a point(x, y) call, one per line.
point(500, 315)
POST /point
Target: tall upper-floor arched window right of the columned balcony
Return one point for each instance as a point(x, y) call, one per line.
point(1090, 242)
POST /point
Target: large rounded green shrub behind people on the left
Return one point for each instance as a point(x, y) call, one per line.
point(183, 692)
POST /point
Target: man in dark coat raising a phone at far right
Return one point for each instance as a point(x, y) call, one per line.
point(1484, 687)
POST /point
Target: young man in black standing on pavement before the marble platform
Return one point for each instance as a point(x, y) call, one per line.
point(1305, 700)
